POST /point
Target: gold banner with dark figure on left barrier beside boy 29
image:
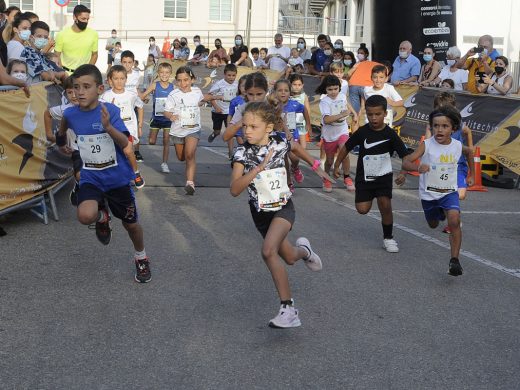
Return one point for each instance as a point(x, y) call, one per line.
point(28, 166)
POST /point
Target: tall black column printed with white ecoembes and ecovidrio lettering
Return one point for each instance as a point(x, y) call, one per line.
point(422, 22)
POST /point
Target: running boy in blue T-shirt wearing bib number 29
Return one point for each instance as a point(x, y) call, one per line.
point(102, 140)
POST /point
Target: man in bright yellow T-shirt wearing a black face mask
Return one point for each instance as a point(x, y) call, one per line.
point(77, 45)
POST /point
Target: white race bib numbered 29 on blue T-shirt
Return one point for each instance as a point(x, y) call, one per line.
point(97, 151)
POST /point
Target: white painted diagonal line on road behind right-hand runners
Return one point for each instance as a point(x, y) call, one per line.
point(425, 237)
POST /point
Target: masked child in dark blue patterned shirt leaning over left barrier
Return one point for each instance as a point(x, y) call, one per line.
point(39, 67)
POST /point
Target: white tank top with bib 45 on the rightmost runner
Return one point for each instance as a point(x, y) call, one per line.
point(442, 176)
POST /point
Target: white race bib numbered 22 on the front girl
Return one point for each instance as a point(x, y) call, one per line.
point(272, 189)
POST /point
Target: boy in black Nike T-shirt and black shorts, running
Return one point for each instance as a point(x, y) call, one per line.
point(377, 142)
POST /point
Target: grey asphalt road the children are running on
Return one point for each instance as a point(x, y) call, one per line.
point(71, 316)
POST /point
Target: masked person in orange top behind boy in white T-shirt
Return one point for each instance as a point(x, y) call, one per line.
point(360, 76)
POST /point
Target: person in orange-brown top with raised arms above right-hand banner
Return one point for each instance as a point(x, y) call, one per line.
point(478, 61)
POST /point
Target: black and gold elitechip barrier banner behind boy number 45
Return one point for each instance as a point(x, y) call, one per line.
point(483, 114)
